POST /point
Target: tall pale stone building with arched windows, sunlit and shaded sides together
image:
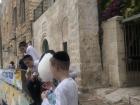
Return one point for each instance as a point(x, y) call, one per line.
point(72, 21)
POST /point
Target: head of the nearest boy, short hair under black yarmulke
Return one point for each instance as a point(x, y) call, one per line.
point(61, 60)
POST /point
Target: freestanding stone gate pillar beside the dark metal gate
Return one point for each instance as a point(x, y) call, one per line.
point(114, 73)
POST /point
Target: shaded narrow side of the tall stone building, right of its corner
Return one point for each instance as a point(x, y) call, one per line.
point(89, 45)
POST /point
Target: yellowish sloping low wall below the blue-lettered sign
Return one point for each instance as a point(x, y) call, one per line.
point(12, 96)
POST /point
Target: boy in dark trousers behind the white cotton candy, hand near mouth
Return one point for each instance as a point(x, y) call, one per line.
point(33, 83)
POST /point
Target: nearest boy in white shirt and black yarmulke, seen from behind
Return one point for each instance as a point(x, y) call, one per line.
point(66, 93)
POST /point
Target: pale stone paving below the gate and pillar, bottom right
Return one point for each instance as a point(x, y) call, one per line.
point(122, 96)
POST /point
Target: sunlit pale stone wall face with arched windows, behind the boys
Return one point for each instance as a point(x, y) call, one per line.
point(57, 25)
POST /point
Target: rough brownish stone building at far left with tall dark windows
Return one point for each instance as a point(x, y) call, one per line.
point(17, 17)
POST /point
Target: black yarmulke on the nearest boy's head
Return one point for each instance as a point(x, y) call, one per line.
point(61, 56)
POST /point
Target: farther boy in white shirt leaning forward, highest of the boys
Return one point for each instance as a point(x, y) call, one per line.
point(28, 50)
